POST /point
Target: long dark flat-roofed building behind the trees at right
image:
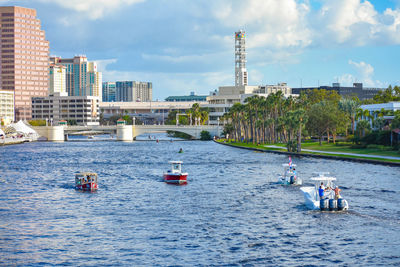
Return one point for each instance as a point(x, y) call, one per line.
point(356, 90)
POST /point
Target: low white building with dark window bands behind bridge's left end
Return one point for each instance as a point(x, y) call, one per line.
point(84, 110)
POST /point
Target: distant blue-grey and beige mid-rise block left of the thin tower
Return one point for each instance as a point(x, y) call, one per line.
point(128, 91)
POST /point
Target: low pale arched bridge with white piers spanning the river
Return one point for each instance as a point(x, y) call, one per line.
point(125, 132)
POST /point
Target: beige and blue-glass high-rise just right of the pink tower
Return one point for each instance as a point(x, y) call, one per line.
point(82, 76)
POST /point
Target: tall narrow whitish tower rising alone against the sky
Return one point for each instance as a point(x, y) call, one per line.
point(240, 59)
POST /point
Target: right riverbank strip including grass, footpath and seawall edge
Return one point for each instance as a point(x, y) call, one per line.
point(367, 155)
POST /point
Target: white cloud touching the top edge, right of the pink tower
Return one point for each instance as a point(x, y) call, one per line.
point(94, 9)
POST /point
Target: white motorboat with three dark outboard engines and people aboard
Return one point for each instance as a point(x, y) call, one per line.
point(326, 199)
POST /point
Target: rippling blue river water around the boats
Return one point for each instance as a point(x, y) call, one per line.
point(231, 212)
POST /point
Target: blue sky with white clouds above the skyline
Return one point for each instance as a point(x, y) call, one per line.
point(188, 45)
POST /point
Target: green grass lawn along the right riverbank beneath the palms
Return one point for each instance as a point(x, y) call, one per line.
point(338, 149)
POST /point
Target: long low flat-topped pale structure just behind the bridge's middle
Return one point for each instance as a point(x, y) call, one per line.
point(149, 112)
